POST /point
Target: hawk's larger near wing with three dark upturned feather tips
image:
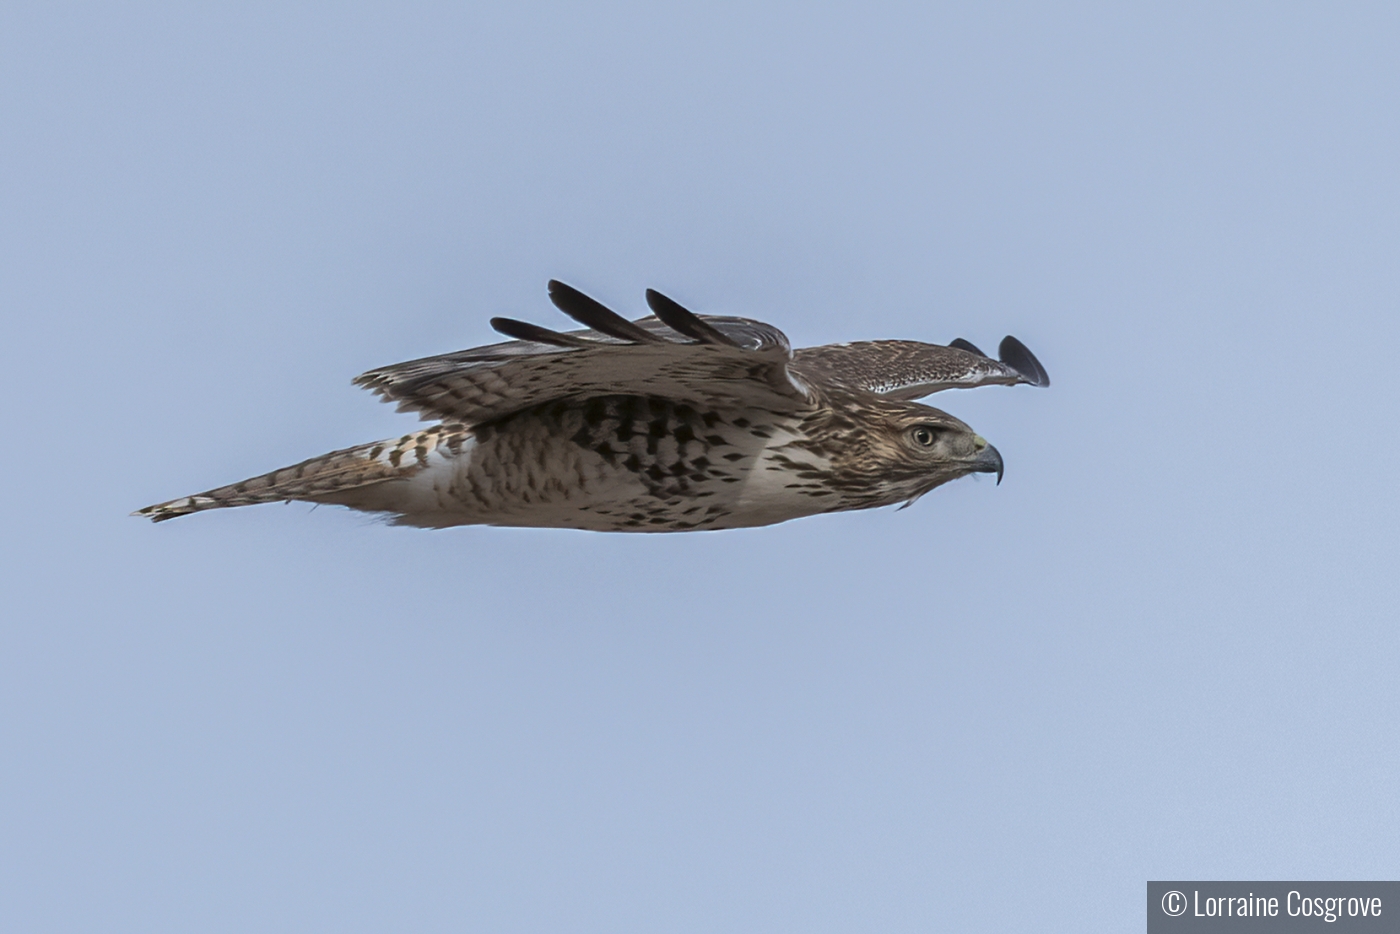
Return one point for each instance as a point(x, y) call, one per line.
point(675, 355)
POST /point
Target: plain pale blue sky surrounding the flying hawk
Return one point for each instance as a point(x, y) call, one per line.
point(1165, 648)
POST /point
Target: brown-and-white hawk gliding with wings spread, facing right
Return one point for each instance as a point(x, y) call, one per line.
point(670, 424)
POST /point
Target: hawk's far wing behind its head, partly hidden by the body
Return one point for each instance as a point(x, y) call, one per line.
point(912, 370)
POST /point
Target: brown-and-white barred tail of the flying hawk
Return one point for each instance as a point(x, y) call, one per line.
point(321, 480)
